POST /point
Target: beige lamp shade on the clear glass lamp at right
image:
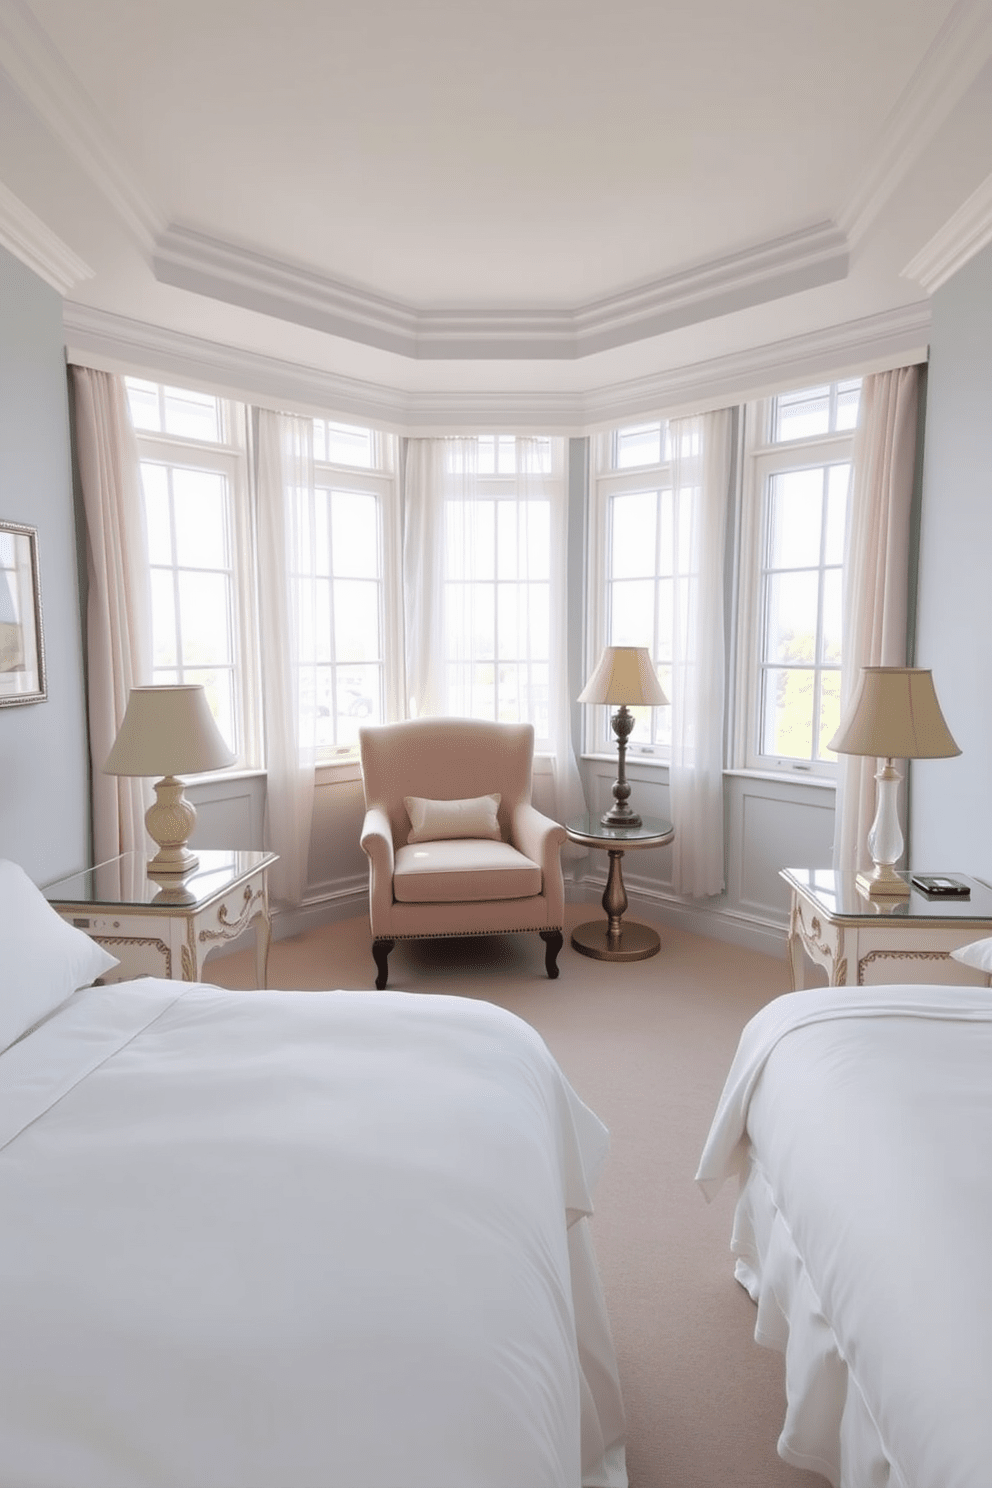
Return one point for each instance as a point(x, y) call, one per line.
point(895, 715)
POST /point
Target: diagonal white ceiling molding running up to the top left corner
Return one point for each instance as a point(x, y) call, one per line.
point(41, 75)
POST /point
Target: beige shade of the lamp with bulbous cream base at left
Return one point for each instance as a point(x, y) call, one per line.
point(167, 731)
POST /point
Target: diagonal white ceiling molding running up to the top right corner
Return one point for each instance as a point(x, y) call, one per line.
point(948, 69)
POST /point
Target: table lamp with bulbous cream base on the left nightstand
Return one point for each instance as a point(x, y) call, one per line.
point(164, 731)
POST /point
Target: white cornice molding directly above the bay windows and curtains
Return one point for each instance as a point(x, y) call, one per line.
point(118, 344)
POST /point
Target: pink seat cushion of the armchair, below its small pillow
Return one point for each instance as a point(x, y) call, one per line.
point(462, 871)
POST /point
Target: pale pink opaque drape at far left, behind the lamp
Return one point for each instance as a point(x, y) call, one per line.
point(120, 599)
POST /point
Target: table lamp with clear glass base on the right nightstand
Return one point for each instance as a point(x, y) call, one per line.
point(893, 715)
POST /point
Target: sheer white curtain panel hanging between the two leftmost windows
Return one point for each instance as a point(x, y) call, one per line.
point(289, 642)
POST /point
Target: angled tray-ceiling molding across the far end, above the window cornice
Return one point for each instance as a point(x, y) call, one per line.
point(193, 261)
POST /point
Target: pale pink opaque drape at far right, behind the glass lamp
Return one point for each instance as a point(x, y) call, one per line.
point(877, 577)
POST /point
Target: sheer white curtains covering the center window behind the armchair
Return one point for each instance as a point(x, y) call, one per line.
point(459, 538)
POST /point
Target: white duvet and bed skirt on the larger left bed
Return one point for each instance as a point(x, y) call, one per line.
point(298, 1240)
